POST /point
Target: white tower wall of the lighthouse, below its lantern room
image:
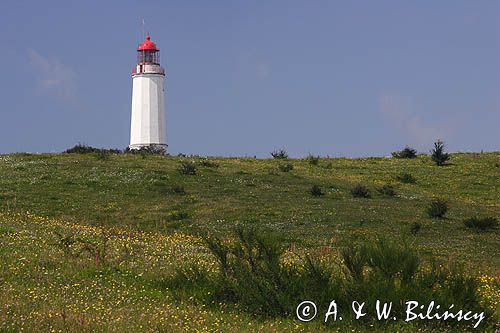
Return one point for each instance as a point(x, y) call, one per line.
point(148, 128)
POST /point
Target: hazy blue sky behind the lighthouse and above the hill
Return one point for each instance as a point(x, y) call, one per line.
point(338, 78)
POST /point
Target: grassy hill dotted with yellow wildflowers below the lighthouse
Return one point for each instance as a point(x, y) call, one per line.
point(154, 215)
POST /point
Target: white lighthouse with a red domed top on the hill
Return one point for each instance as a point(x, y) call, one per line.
point(147, 128)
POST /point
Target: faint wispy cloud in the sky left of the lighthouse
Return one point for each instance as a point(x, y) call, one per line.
point(53, 78)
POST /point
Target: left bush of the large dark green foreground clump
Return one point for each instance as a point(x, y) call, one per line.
point(252, 275)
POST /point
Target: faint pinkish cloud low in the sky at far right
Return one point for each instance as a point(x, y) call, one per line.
point(399, 115)
